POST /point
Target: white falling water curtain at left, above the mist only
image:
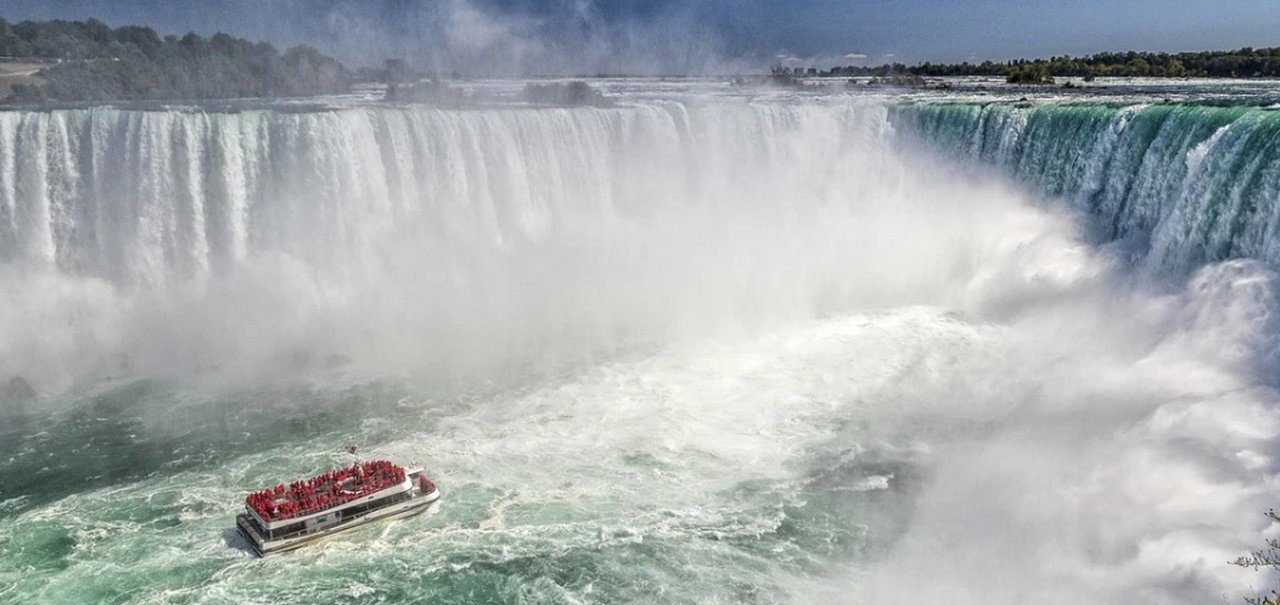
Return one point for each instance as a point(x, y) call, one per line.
point(153, 198)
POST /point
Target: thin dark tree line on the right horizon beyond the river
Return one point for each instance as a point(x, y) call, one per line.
point(1244, 63)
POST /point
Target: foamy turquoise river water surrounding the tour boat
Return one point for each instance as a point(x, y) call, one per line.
point(568, 493)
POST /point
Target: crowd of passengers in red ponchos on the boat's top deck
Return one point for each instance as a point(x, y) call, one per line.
point(326, 491)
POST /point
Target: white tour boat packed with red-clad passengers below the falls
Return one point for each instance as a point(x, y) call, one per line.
point(290, 516)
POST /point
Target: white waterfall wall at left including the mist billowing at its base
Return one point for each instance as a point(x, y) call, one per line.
point(225, 237)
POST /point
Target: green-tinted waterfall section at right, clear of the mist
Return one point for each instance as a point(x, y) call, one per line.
point(1201, 182)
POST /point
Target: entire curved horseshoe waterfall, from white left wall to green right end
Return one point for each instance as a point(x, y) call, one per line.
point(633, 221)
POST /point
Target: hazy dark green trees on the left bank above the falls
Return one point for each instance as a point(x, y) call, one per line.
point(98, 63)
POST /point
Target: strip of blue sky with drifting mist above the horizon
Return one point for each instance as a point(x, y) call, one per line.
point(693, 35)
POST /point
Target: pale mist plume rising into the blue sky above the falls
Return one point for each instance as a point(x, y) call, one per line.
point(564, 38)
